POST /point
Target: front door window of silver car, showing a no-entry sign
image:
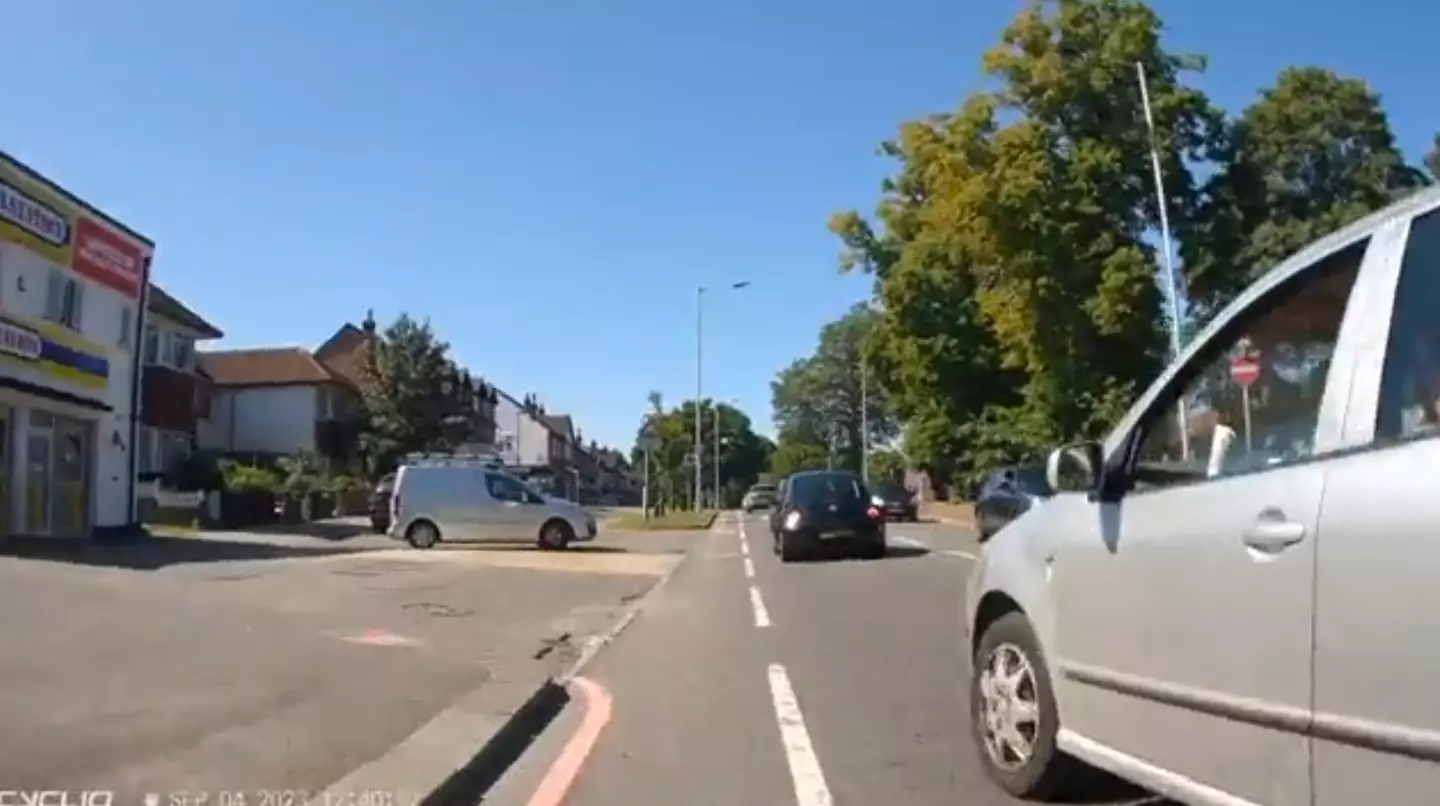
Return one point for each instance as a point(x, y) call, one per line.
point(1254, 399)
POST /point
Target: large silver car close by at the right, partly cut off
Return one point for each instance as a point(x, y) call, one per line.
point(1226, 599)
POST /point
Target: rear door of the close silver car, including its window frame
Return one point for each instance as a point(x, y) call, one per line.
point(1377, 706)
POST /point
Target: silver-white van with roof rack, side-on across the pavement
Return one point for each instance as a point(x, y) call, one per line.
point(463, 502)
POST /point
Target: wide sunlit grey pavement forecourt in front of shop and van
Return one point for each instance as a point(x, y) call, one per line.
point(247, 663)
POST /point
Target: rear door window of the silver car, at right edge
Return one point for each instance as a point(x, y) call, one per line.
point(1410, 381)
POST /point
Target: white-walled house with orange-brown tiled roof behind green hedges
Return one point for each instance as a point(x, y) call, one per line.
point(284, 401)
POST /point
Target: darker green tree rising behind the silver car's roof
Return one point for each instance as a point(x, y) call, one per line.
point(1311, 156)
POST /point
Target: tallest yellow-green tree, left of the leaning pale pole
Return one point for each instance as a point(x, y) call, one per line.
point(1014, 264)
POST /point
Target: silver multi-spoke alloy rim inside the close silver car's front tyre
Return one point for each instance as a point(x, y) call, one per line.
point(1010, 707)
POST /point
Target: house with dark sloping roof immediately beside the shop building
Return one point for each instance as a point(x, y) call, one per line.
point(175, 394)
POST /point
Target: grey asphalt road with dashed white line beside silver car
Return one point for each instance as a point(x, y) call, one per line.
point(747, 682)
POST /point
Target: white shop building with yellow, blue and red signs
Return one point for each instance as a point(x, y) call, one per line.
point(71, 320)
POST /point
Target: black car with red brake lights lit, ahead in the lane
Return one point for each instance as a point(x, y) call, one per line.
point(823, 510)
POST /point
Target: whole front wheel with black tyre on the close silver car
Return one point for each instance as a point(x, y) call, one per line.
point(1010, 647)
